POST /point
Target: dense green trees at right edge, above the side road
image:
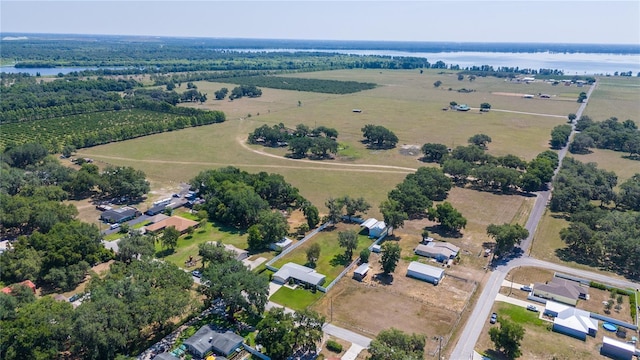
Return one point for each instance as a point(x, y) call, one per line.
point(603, 236)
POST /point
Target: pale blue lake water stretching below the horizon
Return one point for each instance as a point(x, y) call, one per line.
point(570, 63)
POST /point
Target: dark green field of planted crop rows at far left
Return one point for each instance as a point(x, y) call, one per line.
point(86, 130)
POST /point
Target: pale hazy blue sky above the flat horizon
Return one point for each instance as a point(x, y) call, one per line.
point(592, 22)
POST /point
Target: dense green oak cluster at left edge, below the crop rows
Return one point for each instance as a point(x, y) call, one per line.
point(51, 247)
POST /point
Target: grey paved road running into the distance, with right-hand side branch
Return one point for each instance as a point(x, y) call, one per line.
point(465, 347)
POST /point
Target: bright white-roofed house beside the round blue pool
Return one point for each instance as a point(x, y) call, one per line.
point(571, 321)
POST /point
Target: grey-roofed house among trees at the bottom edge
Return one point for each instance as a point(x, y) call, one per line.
point(208, 339)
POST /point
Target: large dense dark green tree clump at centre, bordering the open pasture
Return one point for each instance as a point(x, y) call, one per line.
point(251, 201)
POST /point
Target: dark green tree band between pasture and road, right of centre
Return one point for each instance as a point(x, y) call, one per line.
point(473, 166)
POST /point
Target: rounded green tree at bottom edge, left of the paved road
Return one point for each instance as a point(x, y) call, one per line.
point(394, 344)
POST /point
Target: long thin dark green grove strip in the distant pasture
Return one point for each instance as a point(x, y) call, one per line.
point(300, 84)
